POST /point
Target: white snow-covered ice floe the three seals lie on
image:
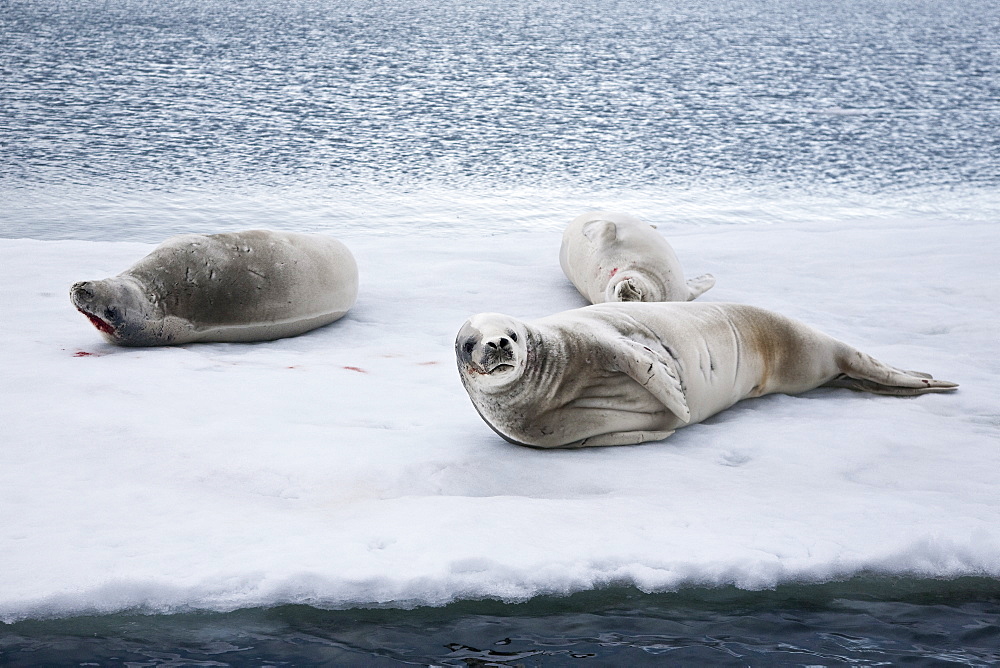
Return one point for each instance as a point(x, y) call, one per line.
point(348, 467)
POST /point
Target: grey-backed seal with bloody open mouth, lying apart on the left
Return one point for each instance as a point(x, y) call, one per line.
point(255, 285)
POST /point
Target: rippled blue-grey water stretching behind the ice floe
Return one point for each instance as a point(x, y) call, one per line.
point(127, 119)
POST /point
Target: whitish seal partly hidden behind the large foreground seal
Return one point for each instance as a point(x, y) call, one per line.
point(615, 257)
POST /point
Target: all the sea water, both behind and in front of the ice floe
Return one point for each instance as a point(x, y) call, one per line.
point(138, 119)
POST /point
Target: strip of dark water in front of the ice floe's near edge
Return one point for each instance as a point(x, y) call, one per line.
point(866, 622)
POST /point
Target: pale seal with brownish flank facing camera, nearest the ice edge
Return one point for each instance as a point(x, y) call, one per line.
point(620, 374)
